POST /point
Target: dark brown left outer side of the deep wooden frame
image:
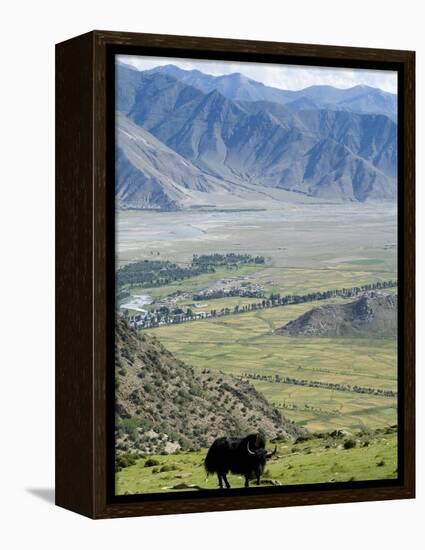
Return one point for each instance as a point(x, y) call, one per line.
point(74, 381)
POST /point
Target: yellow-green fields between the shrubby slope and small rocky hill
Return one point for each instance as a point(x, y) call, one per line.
point(243, 343)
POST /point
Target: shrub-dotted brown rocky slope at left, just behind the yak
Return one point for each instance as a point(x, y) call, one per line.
point(163, 404)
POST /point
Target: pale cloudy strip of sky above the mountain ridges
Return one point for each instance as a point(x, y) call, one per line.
point(287, 77)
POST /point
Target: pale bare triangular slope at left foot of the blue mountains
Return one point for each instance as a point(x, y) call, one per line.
point(150, 175)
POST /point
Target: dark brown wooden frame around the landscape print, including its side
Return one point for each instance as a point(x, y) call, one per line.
point(84, 254)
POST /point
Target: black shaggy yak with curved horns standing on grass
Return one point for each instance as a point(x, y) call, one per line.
point(245, 456)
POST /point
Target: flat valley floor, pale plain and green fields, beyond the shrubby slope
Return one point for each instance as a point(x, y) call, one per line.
point(308, 248)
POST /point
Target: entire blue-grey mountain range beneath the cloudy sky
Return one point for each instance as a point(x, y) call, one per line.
point(185, 139)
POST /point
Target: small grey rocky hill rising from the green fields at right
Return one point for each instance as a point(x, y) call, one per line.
point(371, 315)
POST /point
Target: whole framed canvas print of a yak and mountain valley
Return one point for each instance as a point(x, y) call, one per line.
point(235, 274)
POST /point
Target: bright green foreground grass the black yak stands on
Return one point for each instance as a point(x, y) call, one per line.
point(294, 464)
